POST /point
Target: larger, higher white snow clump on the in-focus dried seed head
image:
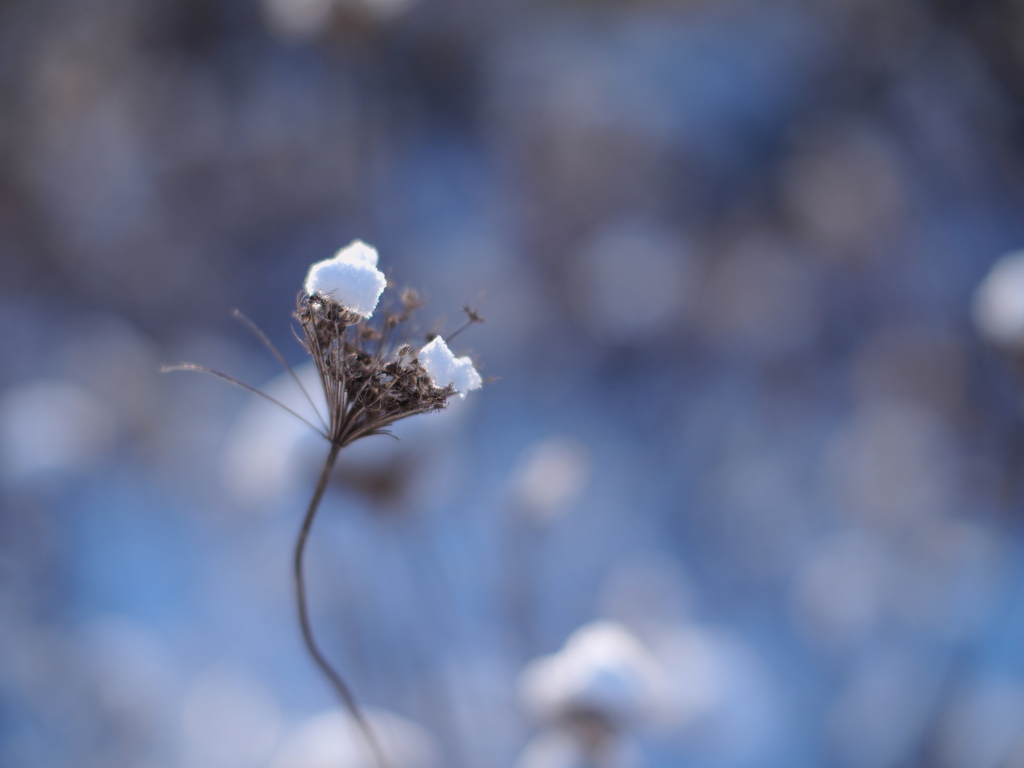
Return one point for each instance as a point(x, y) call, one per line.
point(352, 278)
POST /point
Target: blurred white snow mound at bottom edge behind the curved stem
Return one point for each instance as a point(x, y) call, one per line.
point(333, 741)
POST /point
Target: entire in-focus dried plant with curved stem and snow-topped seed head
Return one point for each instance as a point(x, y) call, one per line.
point(368, 383)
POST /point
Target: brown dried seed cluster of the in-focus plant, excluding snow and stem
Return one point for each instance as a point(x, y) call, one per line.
point(368, 383)
